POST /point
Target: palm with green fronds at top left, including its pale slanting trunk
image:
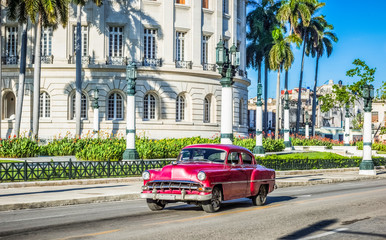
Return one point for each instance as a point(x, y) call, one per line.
point(43, 13)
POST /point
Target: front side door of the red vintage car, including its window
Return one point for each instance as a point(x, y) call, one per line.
point(238, 176)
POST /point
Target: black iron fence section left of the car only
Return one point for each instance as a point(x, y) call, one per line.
point(27, 171)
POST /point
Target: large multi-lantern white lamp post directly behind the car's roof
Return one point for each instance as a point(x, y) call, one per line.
point(227, 62)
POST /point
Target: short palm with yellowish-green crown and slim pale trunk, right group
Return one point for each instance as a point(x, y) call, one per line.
point(280, 56)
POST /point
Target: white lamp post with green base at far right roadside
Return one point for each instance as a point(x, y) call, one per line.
point(367, 166)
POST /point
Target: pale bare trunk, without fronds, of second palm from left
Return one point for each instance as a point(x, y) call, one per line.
point(37, 71)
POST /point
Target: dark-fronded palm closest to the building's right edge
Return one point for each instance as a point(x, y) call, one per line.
point(261, 21)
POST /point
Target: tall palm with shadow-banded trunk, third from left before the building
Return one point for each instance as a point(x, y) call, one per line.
point(78, 53)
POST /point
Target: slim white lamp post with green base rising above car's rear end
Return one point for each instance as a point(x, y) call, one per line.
point(259, 149)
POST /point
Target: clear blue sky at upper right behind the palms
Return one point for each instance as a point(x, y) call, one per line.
point(360, 27)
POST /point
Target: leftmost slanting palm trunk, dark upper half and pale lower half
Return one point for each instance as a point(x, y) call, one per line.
point(20, 93)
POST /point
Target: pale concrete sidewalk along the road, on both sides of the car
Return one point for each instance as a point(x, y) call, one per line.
point(23, 195)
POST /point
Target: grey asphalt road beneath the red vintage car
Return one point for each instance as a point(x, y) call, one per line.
point(354, 210)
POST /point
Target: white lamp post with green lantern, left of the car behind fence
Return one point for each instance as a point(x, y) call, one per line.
point(131, 75)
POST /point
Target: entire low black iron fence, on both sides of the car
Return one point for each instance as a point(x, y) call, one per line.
point(32, 171)
